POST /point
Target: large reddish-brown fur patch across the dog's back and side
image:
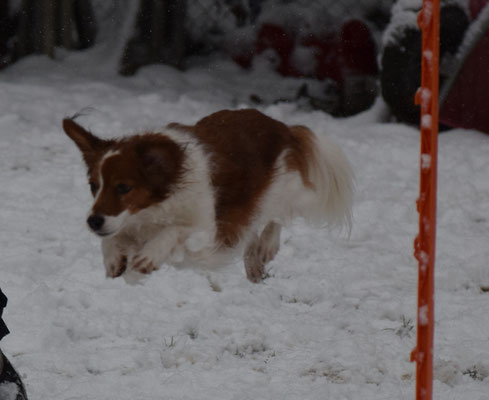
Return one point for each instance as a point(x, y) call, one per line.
point(244, 146)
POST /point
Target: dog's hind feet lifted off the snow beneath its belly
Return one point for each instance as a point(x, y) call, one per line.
point(261, 250)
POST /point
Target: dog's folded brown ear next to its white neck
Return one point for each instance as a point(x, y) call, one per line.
point(162, 163)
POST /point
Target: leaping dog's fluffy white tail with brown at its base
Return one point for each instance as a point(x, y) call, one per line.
point(331, 178)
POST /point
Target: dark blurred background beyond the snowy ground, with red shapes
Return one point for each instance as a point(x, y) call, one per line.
point(335, 55)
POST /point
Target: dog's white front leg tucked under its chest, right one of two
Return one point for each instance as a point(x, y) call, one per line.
point(165, 246)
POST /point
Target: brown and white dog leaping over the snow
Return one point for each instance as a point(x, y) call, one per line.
point(197, 193)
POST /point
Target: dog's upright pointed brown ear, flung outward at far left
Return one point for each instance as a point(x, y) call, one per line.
point(90, 145)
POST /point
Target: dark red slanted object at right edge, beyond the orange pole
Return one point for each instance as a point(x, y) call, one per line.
point(467, 102)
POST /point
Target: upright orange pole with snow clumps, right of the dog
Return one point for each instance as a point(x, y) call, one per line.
point(424, 245)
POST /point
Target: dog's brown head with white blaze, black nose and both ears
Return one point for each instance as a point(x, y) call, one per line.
point(126, 175)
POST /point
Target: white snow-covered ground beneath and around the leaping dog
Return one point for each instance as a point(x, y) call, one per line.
point(335, 319)
